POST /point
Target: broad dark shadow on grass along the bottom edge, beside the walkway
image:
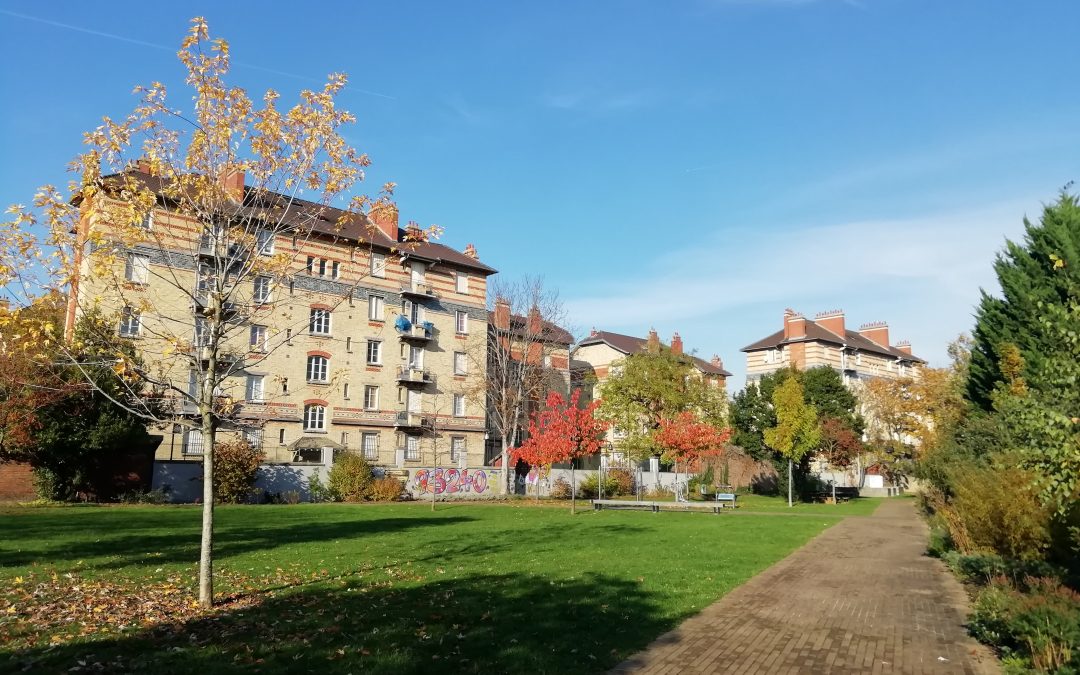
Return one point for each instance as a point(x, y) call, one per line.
point(490, 624)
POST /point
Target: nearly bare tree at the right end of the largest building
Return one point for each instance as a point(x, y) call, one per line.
point(526, 357)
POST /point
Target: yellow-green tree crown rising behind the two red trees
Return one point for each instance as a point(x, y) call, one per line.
point(654, 386)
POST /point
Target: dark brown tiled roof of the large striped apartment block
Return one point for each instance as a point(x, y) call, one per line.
point(325, 220)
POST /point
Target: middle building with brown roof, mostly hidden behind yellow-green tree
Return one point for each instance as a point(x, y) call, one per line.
point(603, 353)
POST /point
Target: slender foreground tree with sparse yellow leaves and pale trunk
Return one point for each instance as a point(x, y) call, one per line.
point(242, 187)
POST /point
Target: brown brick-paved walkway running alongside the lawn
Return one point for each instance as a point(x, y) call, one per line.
point(861, 598)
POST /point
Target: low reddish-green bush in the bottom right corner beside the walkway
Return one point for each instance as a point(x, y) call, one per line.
point(1043, 627)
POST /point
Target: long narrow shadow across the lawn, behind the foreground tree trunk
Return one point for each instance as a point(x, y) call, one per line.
point(121, 548)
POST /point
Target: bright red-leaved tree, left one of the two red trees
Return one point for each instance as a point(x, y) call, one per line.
point(562, 433)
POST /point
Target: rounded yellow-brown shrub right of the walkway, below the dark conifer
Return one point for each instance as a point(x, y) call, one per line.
point(1000, 512)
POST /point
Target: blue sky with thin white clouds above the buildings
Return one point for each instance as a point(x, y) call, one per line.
point(695, 167)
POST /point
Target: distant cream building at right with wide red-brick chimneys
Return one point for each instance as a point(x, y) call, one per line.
point(827, 342)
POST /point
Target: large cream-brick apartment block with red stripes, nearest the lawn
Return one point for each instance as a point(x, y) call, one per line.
point(362, 346)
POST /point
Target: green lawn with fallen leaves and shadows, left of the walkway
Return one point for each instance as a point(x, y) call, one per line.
point(372, 589)
